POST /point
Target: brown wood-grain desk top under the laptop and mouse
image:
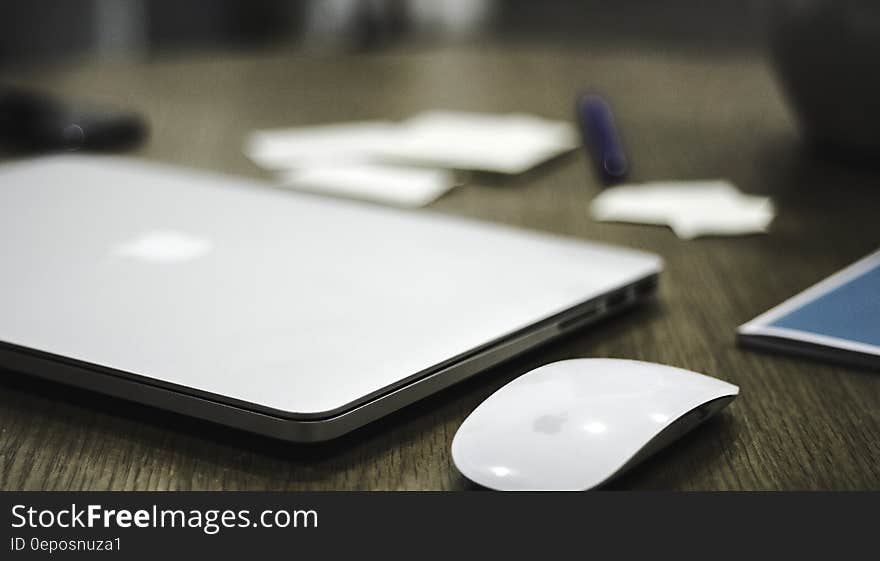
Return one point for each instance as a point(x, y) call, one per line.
point(797, 425)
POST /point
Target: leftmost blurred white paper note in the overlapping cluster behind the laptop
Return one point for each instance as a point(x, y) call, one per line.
point(296, 147)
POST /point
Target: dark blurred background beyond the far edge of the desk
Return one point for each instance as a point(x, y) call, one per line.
point(46, 31)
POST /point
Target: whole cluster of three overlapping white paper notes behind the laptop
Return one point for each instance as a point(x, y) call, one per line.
point(406, 163)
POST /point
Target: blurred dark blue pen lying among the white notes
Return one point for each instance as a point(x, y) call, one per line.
point(601, 138)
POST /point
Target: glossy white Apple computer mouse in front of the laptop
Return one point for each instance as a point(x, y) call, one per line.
point(574, 424)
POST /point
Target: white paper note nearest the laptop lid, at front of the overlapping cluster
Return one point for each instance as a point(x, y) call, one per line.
point(392, 185)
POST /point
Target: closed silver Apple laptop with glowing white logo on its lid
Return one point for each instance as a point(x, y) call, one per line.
point(280, 313)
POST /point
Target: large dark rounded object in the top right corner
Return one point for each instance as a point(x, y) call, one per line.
point(827, 55)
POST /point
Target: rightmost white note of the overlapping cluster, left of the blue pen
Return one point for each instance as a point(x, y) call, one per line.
point(505, 143)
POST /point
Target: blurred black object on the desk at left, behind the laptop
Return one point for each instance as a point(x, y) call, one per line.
point(34, 122)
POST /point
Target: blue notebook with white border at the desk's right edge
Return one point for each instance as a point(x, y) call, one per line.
point(838, 318)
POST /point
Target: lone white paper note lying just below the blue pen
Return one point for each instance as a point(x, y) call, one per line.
point(690, 208)
